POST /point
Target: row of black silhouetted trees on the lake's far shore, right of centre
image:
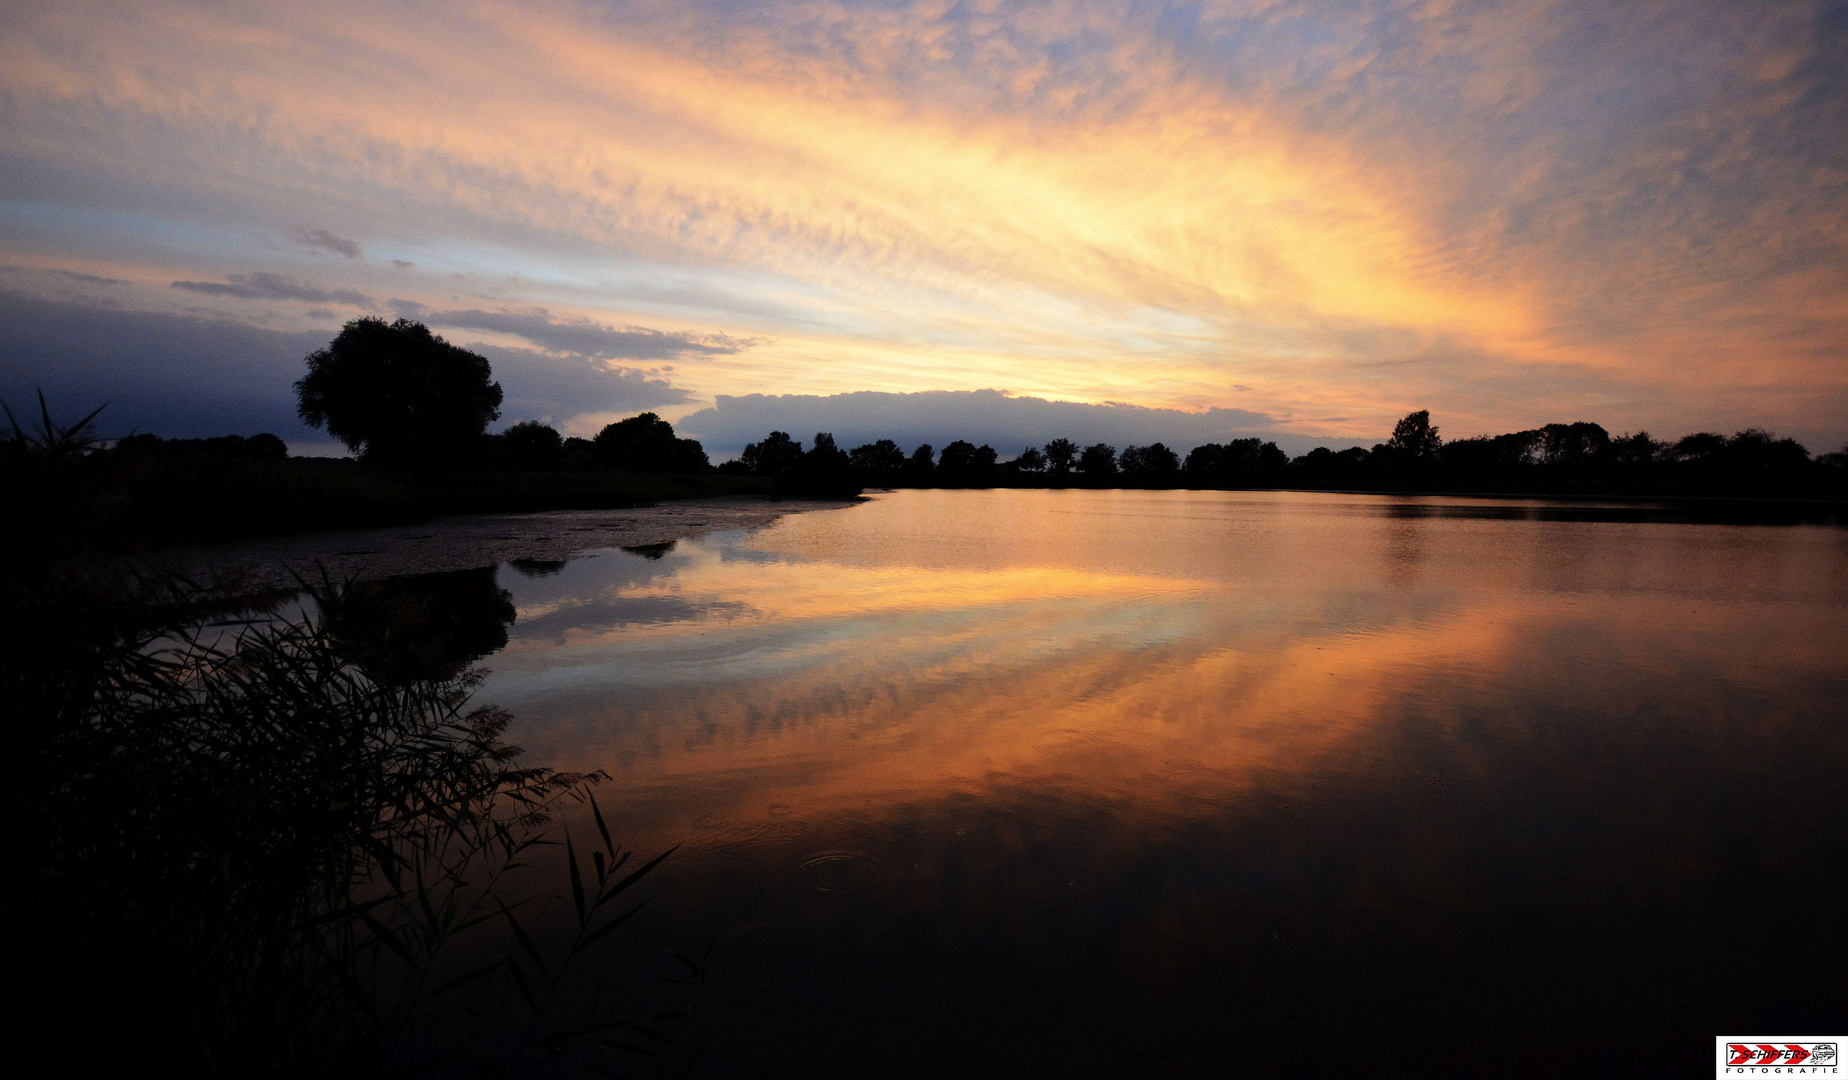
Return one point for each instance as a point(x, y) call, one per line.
point(1559, 460)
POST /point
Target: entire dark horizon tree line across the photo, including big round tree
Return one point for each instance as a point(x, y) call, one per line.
point(406, 400)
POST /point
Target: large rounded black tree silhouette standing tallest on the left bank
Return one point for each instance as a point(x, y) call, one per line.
point(398, 395)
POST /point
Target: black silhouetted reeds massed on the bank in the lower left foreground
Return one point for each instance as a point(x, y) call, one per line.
point(295, 846)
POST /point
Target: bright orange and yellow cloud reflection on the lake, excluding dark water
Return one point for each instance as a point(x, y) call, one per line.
point(827, 669)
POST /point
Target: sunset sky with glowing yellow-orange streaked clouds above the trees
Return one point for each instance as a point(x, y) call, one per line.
point(1287, 219)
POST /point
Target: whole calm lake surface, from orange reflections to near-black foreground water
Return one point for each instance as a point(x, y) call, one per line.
point(1189, 783)
